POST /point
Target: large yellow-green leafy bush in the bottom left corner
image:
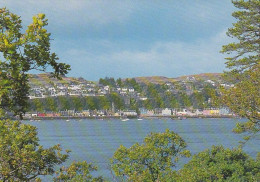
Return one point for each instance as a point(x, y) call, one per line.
point(21, 156)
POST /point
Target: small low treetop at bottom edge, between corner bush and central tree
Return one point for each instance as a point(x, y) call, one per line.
point(77, 171)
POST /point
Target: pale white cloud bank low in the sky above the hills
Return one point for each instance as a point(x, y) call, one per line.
point(163, 58)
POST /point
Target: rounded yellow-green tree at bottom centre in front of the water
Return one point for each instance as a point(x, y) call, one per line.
point(152, 160)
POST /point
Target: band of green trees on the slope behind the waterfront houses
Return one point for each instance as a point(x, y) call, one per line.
point(158, 96)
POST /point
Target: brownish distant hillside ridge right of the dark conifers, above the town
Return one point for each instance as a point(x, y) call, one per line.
point(162, 79)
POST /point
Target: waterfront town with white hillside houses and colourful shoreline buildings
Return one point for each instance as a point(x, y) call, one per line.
point(129, 91)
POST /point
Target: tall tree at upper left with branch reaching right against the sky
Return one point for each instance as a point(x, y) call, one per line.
point(23, 52)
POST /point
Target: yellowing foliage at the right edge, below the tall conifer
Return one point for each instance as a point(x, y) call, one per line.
point(244, 100)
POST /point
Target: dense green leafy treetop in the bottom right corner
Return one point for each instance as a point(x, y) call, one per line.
point(220, 164)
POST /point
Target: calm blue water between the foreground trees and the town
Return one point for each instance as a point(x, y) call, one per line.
point(96, 140)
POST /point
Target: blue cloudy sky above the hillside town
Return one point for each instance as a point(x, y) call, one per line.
point(133, 38)
